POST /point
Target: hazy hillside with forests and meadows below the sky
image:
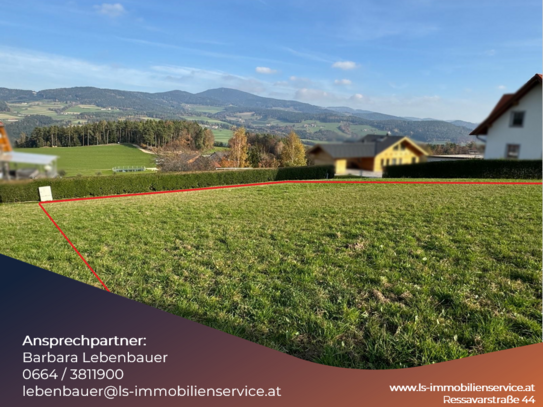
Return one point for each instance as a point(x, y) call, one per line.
point(221, 109)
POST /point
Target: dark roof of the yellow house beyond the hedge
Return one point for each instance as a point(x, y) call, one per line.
point(368, 146)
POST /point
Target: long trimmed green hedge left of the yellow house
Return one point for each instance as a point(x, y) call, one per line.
point(65, 188)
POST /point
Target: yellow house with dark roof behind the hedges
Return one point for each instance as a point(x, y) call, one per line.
point(371, 153)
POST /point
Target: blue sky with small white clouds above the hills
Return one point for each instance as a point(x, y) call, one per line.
point(424, 58)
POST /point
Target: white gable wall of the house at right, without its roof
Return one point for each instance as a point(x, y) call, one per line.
point(529, 136)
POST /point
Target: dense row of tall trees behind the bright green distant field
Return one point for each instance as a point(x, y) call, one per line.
point(153, 133)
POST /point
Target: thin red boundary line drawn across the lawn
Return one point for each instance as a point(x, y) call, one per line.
point(254, 185)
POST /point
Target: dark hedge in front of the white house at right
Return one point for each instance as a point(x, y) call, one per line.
point(504, 169)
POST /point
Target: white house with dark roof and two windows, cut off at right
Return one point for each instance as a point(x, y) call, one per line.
point(513, 129)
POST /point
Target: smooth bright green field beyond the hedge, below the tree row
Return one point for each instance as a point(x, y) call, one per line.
point(92, 159)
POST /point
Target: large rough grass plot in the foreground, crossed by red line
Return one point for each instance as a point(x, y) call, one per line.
point(365, 276)
